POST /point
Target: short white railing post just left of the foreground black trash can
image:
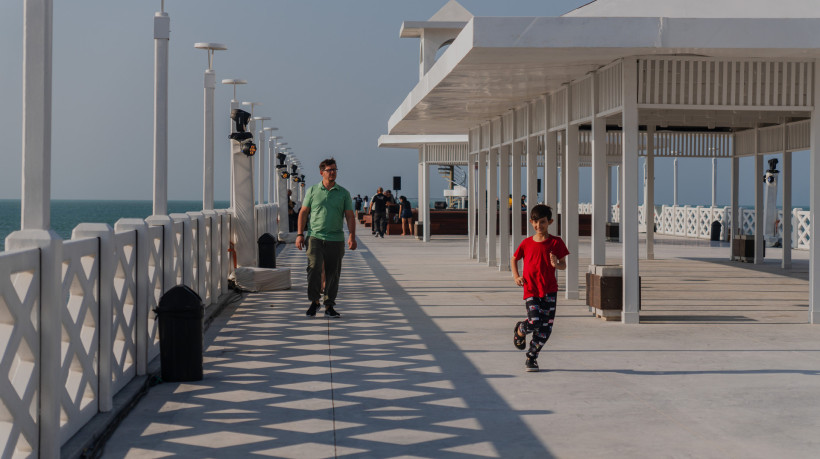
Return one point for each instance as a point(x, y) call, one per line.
point(141, 301)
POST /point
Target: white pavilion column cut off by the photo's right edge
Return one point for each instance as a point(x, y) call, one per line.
point(814, 195)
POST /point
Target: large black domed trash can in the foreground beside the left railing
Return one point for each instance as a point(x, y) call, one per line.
point(180, 313)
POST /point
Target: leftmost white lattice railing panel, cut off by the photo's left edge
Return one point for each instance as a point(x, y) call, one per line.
point(20, 364)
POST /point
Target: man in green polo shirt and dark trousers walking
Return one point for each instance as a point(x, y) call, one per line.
point(327, 205)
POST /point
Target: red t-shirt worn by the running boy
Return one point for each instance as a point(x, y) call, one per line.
point(539, 274)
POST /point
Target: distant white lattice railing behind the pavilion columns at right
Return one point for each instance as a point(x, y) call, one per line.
point(696, 221)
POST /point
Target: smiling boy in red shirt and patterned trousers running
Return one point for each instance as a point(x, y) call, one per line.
point(542, 254)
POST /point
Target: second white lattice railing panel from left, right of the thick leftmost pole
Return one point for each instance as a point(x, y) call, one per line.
point(79, 400)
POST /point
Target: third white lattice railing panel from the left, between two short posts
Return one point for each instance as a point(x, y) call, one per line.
point(124, 311)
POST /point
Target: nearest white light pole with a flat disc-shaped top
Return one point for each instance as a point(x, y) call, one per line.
point(208, 126)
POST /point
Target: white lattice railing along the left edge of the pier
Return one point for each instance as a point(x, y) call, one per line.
point(111, 281)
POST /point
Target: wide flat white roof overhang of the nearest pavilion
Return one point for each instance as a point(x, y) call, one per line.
point(497, 64)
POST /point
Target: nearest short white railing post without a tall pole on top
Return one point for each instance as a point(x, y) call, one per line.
point(107, 266)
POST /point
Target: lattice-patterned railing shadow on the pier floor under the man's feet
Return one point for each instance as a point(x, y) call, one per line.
point(382, 381)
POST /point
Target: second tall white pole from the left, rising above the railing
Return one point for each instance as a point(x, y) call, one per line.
point(162, 30)
